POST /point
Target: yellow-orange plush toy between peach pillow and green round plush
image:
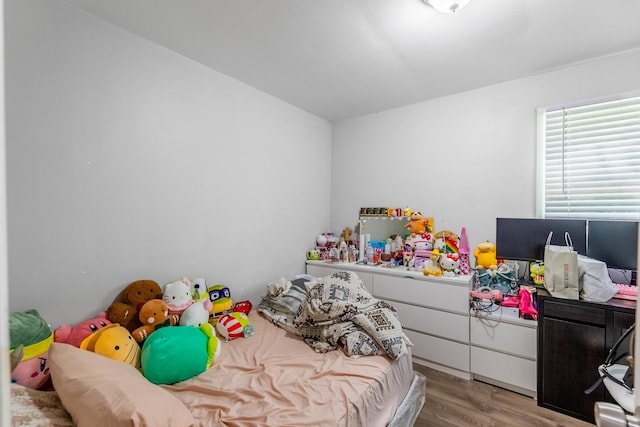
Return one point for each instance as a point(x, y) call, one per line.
point(115, 342)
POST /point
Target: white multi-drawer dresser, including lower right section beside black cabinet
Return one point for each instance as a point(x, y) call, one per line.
point(447, 336)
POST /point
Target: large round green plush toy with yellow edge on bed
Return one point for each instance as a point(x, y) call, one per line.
point(178, 353)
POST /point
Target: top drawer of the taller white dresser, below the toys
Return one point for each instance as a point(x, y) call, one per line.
point(432, 294)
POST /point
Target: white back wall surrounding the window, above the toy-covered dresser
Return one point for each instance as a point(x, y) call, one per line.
point(463, 159)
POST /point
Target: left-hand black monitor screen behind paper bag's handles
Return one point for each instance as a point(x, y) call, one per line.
point(524, 238)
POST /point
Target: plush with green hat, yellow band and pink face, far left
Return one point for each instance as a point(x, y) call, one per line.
point(27, 329)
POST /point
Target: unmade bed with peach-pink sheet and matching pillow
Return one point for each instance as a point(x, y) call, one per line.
point(273, 378)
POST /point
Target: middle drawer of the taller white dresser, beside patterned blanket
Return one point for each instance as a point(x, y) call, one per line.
point(434, 322)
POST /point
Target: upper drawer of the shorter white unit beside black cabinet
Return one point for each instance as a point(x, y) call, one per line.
point(504, 337)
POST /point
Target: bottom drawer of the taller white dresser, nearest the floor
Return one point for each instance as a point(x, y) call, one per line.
point(438, 350)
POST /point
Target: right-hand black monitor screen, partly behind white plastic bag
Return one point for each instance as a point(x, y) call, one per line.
point(615, 243)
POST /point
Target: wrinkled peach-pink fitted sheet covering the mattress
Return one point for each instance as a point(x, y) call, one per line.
point(275, 379)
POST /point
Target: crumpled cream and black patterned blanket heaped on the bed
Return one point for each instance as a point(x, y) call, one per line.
point(340, 312)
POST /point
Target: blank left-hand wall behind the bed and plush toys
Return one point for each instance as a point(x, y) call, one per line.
point(127, 161)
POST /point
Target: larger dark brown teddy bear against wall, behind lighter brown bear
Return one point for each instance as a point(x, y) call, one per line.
point(124, 309)
